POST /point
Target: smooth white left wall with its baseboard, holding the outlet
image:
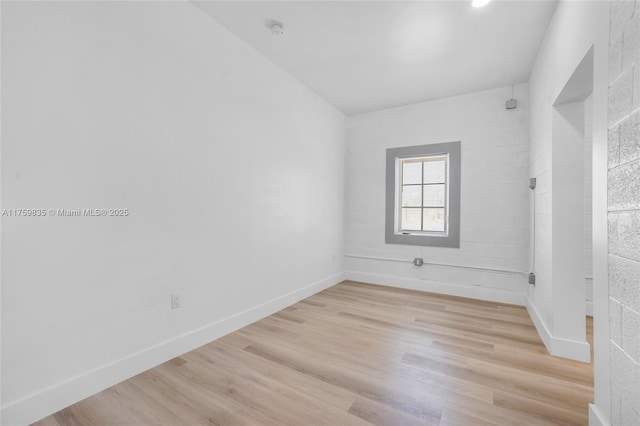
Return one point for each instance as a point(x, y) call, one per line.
point(233, 173)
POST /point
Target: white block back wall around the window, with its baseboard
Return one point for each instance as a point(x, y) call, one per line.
point(494, 195)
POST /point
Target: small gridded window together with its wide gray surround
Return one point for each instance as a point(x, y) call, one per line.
point(423, 195)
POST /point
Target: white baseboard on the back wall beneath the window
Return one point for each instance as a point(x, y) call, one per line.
point(474, 292)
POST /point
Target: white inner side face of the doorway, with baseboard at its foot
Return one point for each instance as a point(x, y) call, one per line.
point(567, 336)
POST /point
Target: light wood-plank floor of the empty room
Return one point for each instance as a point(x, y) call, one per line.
point(358, 354)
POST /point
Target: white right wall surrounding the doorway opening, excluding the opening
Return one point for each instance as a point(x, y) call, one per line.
point(574, 29)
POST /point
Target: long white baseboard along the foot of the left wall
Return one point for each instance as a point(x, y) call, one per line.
point(49, 400)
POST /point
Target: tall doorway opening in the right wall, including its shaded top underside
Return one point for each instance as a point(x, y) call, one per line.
point(571, 209)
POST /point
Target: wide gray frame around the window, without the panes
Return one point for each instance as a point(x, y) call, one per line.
point(450, 238)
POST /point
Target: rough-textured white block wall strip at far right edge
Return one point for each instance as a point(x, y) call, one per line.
point(624, 211)
